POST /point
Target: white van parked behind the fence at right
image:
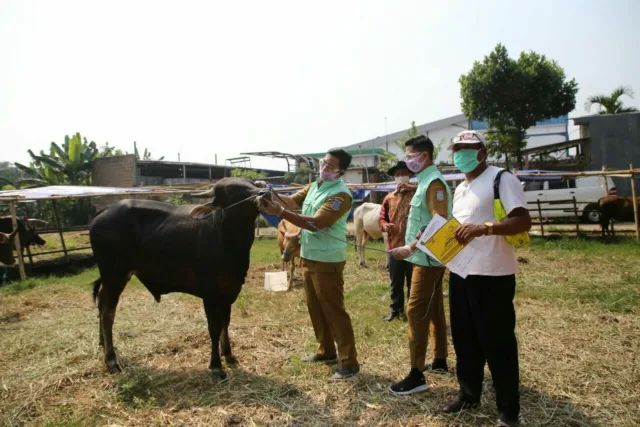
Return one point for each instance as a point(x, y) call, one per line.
point(558, 195)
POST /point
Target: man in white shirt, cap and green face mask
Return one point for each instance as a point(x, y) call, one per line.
point(481, 305)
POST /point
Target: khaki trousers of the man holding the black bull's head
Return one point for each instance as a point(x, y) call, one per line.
point(324, 288)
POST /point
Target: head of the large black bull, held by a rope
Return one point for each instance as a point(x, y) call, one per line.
point(237, 197)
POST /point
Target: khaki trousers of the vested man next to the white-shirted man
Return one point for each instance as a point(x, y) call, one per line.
point(423, 324)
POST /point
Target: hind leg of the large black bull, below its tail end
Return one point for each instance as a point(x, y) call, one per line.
point(107, 302)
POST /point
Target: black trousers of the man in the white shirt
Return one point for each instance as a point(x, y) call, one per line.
point(483, 321)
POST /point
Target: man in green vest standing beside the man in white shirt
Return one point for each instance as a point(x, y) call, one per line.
point(425, 309)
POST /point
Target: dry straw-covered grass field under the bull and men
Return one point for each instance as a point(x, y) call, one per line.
point(578, 307)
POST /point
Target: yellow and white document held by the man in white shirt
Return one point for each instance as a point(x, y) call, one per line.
point(438, 241)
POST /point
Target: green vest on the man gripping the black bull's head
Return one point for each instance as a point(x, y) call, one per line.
point(318, 246)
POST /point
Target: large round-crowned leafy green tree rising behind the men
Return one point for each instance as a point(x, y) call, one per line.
point(513, 95)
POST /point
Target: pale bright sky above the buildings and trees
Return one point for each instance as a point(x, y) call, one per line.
point(206, 78)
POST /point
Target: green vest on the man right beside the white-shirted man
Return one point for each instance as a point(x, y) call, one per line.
point(420, 214)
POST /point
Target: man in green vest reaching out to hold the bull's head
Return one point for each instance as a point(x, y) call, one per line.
point(325, 204)
